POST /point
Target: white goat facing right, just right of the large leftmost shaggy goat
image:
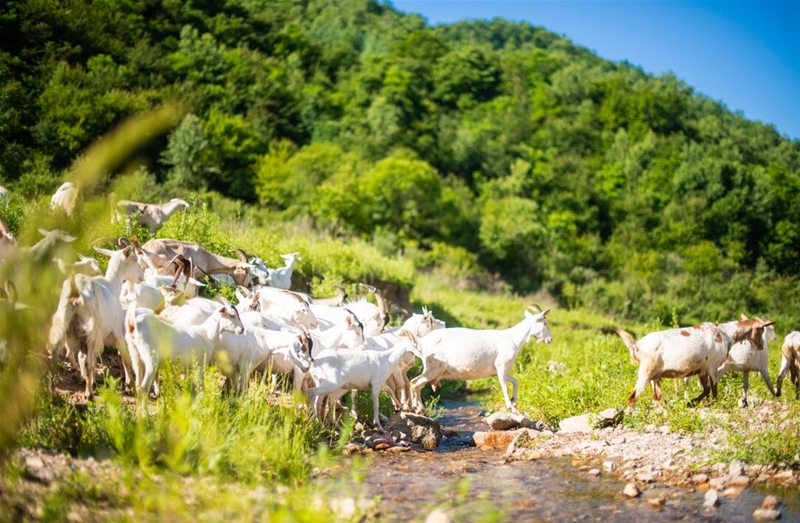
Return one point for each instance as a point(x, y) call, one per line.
point(152, 340)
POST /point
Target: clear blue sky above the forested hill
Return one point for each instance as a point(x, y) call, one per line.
point(743, 53)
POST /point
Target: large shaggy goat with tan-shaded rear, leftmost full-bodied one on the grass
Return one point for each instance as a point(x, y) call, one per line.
point(89, 314)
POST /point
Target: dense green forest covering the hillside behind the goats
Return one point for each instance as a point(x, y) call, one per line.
point(497, 150)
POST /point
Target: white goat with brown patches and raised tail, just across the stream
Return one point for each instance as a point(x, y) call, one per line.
point(690, 351)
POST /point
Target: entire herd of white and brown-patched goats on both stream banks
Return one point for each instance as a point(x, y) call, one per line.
point(147, 306)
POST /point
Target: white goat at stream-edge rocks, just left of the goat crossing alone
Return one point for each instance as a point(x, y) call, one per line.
point(336, 371)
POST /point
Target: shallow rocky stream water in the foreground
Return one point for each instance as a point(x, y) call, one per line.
point(476, 485)
